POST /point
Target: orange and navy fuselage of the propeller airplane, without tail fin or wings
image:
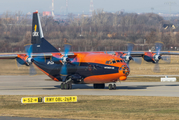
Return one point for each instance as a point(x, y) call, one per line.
point(92, 67)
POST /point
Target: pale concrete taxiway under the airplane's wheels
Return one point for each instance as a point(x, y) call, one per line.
point(42, 85)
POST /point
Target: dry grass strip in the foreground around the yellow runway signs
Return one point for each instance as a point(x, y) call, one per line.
point(95, 108)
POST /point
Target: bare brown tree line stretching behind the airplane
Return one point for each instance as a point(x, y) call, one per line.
point(102, 31)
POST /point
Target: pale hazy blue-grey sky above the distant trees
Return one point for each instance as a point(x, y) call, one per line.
point(78, 6)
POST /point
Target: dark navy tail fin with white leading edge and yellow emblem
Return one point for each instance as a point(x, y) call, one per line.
point(39, 44)
